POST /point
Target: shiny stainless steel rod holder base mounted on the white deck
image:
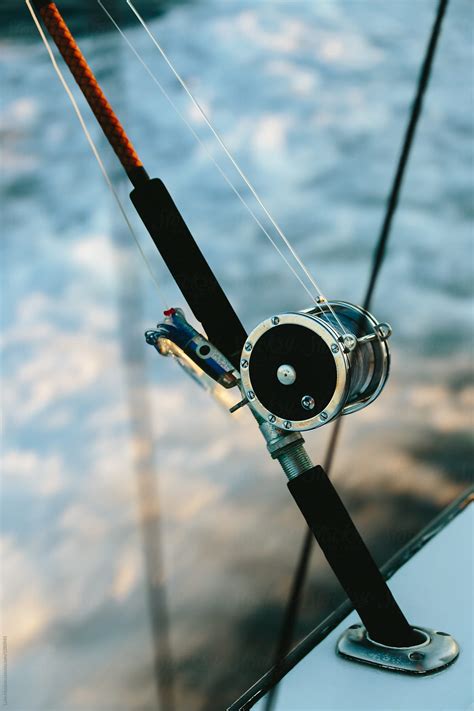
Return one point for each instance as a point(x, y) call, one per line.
point(436, 651)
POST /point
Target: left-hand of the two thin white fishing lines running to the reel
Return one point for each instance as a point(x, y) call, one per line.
point(204, 147)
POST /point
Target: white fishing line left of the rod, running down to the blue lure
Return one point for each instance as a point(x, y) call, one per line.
point(95, 150)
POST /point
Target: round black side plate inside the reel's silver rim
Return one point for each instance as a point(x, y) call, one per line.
point(310, 358)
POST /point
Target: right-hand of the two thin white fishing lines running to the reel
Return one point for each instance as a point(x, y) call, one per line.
point(236, 167)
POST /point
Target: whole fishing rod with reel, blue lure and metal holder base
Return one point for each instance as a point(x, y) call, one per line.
point(296, 371)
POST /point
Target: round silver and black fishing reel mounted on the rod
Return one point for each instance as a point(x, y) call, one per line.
point(300, 370)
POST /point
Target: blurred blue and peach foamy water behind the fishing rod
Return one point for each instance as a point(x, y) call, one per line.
point(106, 445)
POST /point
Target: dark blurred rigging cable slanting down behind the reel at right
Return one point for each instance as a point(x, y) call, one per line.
point(292, 607)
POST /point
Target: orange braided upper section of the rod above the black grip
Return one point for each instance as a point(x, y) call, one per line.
point(89, 86)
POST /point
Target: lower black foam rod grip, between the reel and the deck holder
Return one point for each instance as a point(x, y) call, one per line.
point(350, 558)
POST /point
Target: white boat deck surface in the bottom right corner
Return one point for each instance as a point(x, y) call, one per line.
point(434, 589)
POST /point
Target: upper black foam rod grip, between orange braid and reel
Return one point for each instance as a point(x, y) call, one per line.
point(189, 268)
